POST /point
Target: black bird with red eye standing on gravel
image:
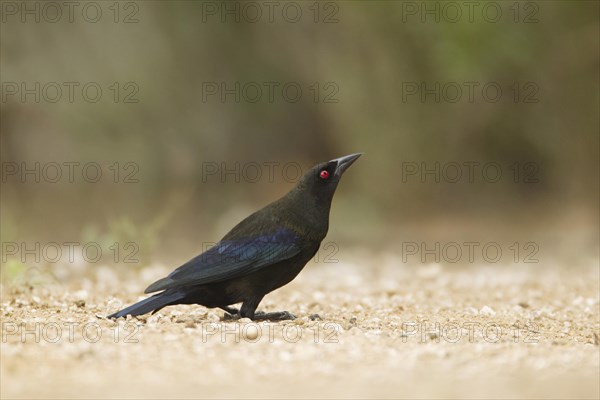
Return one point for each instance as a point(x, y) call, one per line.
point(260, 254)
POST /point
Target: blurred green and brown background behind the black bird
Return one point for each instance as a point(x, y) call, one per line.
point(366, 56)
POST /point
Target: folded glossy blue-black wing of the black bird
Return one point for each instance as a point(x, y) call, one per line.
point(231, 259)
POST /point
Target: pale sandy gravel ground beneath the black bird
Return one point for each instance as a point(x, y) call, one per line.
point(519, 331)
